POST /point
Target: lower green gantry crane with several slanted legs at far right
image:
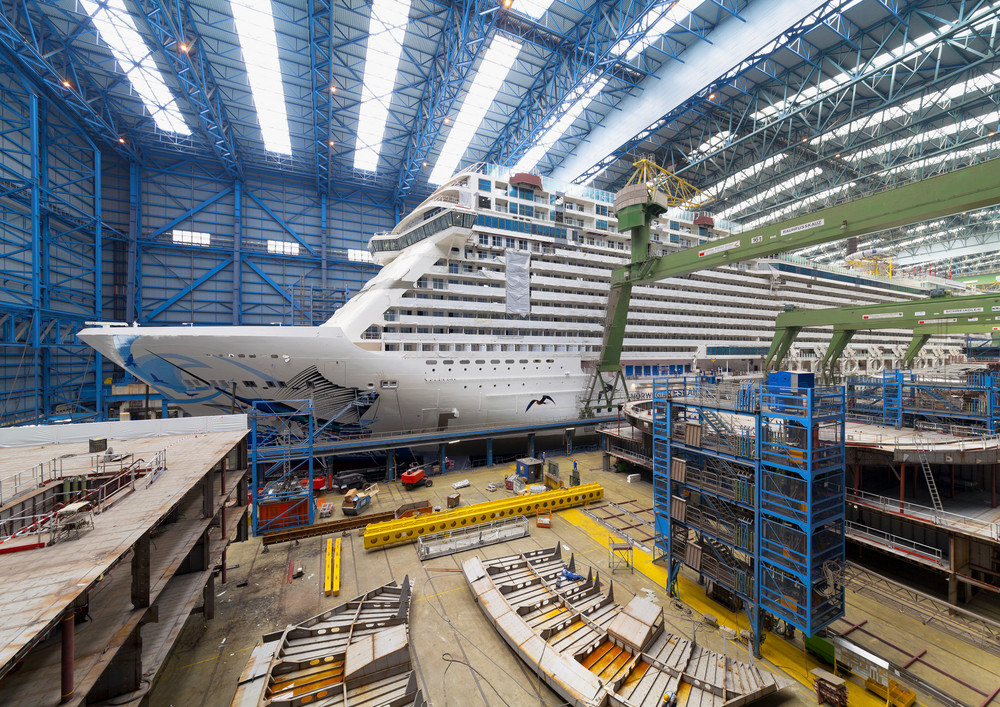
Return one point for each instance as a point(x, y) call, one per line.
point(961, 314)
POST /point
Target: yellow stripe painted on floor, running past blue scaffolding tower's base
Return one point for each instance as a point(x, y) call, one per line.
point(779, 652)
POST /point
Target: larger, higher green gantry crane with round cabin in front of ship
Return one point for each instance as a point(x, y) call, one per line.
point(637, 204)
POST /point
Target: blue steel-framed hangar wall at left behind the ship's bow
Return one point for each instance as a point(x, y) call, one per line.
point(86, 235)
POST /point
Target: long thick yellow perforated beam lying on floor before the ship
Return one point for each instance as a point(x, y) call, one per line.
point(407, 530)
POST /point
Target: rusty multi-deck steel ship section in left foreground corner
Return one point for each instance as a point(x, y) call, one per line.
point(116, 597)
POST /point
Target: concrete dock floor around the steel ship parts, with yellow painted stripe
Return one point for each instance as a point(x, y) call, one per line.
point(460, 659)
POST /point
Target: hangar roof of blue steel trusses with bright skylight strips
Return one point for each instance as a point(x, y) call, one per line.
point(773, 107)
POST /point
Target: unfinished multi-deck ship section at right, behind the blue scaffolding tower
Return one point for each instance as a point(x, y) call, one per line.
point(891, 507)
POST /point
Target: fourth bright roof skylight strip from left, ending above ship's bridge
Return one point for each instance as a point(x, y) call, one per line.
point(490, 76)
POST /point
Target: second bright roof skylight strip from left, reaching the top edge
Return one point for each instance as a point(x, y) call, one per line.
point(255, 28)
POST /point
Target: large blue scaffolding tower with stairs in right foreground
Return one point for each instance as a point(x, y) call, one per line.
point(749, 493)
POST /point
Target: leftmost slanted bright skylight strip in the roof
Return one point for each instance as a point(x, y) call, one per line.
point(115, 25)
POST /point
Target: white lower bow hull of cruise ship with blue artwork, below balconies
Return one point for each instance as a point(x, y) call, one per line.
point(196, 368)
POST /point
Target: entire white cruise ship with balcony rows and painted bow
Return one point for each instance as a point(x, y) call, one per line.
point(492, 294)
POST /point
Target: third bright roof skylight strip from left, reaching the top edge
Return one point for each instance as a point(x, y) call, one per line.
point(385, 43)
